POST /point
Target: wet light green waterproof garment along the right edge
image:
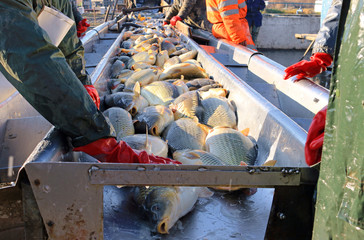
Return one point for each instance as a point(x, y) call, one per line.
point(340, 202)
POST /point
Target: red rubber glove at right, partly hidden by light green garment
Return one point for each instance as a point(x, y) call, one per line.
point(315, 138)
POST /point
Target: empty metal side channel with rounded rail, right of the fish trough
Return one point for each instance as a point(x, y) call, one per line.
point(299, 100)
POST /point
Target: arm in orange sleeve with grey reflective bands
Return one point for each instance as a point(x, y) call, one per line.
point(229, 12)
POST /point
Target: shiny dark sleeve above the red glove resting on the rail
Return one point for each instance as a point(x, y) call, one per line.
point(326, 37)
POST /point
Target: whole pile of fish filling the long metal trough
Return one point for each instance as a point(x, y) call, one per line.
point(162, 100)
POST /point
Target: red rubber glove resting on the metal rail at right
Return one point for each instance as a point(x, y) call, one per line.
point(317, 64)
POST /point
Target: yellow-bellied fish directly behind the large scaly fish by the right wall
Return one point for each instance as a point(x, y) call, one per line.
point(218, 112)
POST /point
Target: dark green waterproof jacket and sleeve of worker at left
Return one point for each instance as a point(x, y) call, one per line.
point(49, 78)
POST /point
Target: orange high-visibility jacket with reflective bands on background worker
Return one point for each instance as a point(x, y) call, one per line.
point(228, 17)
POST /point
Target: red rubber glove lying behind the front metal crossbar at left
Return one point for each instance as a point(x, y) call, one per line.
point(111, 151)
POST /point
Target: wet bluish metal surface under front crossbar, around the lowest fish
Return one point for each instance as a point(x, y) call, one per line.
point(225, 215)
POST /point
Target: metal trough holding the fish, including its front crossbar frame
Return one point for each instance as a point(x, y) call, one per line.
point(74, 197)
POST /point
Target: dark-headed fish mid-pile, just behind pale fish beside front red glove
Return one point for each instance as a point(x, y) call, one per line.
point(157, 118)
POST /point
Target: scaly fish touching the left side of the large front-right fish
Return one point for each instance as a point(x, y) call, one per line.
point(185, 133)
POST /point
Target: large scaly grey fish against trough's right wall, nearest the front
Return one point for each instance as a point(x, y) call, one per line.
point(231, 146)
